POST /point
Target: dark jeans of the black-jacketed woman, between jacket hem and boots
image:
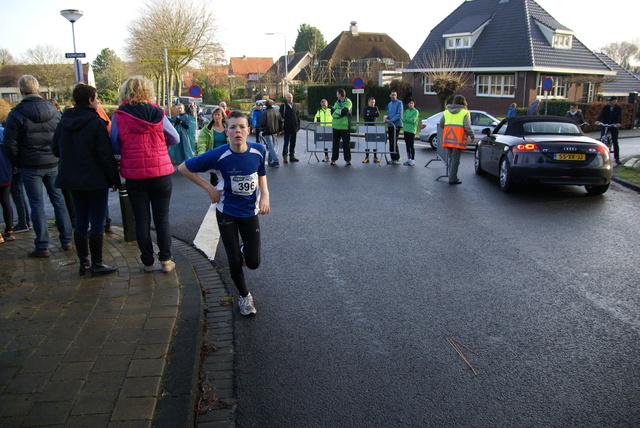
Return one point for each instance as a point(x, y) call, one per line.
point(91, 208)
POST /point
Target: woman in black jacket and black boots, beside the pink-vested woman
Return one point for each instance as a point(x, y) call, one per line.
point(87, 169)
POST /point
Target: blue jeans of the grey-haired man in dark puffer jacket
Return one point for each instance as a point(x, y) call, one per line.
point(33, 180)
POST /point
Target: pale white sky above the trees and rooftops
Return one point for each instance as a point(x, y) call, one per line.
point(241, 25)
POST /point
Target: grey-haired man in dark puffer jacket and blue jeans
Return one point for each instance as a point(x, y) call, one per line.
point(27, 138)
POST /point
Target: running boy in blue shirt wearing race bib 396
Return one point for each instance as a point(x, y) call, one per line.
point(244, 195)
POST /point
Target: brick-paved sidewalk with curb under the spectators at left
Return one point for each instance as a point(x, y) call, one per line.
point(84, 351)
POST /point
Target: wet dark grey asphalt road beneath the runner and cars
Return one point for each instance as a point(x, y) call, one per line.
point(368, 269)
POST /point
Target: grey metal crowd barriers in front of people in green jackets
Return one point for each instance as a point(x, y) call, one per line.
point(366, 137)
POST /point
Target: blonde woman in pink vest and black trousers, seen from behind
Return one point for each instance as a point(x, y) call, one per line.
point(140, 133)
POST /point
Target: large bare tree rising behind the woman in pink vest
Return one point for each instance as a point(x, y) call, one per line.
point(173, 24)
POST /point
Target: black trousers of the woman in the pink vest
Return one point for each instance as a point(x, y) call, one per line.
point(146, 195)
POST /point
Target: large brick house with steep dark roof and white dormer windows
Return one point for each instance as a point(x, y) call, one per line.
point(506, 48)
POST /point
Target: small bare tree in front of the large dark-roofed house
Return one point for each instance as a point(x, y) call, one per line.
point(445, 70)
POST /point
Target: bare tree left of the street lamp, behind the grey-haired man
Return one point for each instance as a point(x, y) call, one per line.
point(50, 67)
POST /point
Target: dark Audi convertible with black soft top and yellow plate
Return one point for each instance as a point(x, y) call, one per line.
point(546, 150)
